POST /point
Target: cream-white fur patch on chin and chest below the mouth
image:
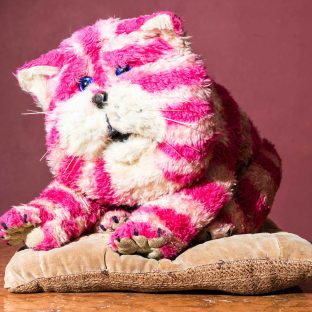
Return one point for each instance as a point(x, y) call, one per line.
point(140, 180)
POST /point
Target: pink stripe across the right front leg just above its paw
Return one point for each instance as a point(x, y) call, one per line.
point(179, 224)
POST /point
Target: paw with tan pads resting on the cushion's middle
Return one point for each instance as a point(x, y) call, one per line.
point(140, 237)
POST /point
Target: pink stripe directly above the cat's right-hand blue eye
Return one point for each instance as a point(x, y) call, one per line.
point(136, 55)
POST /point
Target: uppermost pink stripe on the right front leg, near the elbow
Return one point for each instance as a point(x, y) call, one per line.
point(211, 195)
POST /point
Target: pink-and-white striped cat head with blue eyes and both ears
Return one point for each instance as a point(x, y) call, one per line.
point(121, 78)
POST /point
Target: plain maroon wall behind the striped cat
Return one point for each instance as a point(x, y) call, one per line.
point(260, 50)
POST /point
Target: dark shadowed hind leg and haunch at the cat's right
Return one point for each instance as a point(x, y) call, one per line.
point(253, 197)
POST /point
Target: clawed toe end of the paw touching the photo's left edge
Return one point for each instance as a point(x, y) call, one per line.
point(16, 223)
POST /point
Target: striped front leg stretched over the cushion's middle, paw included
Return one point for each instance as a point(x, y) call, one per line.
point(164, 227)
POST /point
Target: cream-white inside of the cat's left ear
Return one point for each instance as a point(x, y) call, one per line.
point(35, 81)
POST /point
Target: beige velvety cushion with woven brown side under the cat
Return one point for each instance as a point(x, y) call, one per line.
point(242, 264)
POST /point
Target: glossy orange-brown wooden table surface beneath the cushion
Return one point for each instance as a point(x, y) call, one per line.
point(296, 299)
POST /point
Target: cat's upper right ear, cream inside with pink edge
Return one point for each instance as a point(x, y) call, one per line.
point(163, 22)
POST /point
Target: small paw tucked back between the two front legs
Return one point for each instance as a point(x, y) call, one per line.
point(112, 220)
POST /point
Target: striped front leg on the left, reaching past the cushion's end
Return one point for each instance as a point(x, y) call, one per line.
point(61, 213)
